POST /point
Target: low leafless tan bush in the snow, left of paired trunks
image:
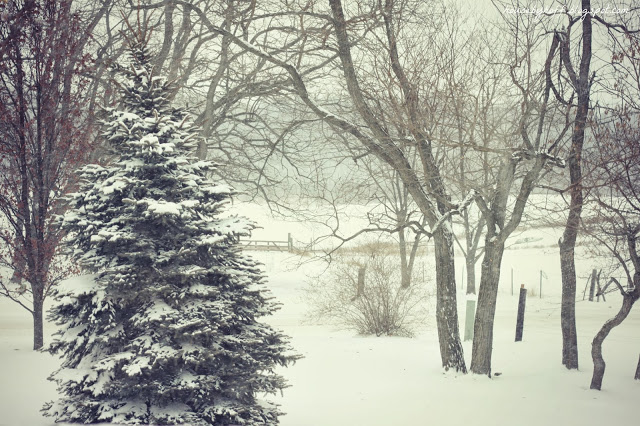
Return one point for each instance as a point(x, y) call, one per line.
point(383, 307)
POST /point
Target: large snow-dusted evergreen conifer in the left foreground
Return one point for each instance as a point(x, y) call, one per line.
point(167, 330)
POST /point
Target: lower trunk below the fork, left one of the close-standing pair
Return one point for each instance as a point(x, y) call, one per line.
point(446, 306)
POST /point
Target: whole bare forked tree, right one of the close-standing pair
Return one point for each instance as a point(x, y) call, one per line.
point(532, 148)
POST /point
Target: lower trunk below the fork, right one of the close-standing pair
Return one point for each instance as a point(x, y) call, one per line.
point(485, 312)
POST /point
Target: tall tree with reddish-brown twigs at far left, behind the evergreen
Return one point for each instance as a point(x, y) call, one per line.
point(43, 137)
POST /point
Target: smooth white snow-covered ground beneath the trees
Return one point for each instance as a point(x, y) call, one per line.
point(350, 380)
